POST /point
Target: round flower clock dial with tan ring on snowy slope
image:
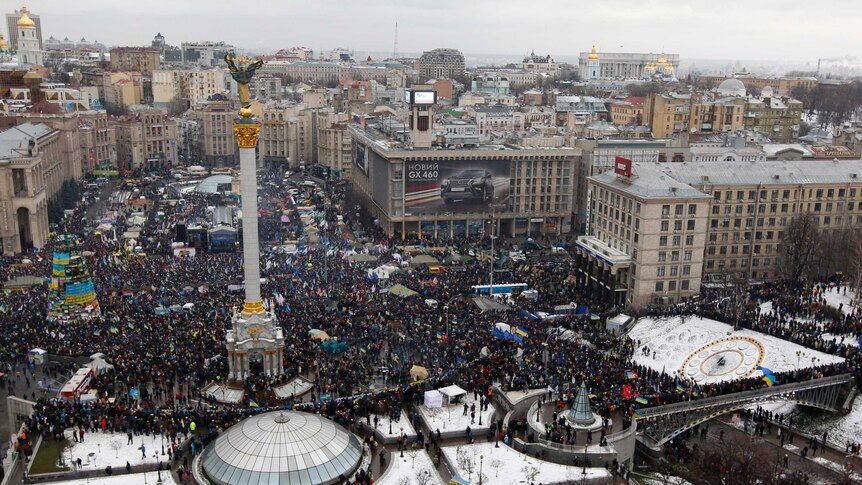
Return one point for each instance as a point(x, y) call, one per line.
point(728, 358)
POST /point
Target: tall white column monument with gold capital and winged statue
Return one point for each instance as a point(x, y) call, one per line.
point(255, 335)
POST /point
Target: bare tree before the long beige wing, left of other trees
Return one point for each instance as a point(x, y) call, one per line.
point(799, 248)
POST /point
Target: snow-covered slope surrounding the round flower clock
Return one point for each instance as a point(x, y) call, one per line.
point(674, 341)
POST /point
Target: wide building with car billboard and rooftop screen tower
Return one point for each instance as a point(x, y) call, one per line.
point(414, 181)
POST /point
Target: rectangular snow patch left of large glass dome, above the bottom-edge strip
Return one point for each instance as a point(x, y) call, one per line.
point(102, 449)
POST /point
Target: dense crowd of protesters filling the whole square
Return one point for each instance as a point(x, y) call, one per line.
point(170, 357)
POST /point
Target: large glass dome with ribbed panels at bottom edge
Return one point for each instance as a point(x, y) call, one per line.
point(282, 448)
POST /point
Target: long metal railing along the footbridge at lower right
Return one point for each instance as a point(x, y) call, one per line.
point(745, 396)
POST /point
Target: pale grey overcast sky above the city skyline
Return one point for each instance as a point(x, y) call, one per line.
point(783, 30)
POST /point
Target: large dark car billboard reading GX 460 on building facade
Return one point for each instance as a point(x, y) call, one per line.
point(455, 185)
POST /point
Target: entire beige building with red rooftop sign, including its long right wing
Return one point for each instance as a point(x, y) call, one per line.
point(740, 213)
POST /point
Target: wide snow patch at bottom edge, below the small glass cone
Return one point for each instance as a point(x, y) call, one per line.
point(505, 466)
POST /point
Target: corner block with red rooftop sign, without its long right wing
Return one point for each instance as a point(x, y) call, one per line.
point(645, 238)
